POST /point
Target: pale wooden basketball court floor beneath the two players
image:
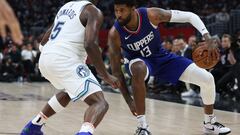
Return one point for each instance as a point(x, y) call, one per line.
point(20, 102)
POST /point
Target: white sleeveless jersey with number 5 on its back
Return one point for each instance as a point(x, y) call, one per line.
point(68, 33)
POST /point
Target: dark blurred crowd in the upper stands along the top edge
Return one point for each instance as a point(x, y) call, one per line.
point(37, 15)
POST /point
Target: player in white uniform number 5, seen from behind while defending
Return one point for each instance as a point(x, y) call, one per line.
point(66, 45)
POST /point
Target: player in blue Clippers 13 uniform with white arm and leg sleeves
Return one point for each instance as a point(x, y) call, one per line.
point(135, 37)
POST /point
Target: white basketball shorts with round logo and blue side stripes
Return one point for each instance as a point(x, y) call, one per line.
point(68, 73)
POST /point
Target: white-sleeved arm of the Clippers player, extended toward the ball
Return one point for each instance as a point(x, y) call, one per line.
point(158, 15)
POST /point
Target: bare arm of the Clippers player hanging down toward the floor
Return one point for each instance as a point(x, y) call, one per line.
point(115, 56)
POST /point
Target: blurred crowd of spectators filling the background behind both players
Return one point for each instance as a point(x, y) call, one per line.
point(20, 63)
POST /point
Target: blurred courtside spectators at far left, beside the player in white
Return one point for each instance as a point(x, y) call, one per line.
point(20, 63)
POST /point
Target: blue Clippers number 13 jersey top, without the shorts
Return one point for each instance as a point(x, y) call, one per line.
point(144, 42)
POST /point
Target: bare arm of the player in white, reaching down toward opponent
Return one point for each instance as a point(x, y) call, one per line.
point(92, 18)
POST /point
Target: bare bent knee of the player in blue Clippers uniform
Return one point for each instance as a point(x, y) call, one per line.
point(139, 70)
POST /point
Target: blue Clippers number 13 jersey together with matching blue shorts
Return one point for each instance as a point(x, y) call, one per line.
point(145, 43)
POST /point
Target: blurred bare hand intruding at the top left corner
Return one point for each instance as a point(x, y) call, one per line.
point(8, 18)
